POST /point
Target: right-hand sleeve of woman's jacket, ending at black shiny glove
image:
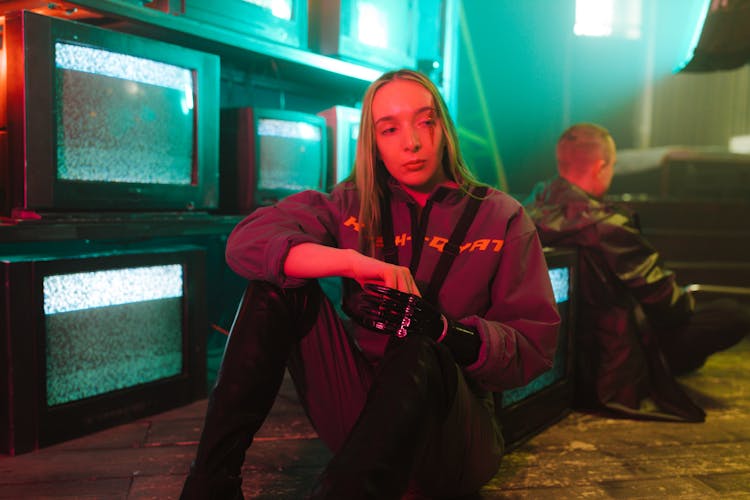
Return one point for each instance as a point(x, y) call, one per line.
point(519, 331)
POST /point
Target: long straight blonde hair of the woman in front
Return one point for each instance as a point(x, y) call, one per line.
point(370, 174)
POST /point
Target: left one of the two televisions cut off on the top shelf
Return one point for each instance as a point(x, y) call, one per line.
point(278, 21)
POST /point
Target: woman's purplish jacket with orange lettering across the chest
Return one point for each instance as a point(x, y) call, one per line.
point(498, 282)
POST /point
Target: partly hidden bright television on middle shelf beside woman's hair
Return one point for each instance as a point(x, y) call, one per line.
point(343, 132)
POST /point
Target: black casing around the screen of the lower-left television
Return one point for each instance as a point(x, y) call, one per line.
point(28, 420)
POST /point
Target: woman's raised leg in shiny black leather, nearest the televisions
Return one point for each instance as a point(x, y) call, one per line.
point(267, 325)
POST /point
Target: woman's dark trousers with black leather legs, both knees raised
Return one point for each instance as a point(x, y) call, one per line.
point(409, 420)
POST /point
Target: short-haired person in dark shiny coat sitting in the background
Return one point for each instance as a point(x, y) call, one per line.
point(637, 328)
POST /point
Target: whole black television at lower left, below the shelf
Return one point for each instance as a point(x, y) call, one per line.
point(89, 341)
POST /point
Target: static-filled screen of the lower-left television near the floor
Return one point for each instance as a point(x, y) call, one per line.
point(141, 308)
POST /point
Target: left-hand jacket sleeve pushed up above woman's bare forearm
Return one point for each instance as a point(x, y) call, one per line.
point(257, 247)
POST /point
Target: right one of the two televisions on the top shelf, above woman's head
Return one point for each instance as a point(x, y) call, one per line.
point(380, 34)
